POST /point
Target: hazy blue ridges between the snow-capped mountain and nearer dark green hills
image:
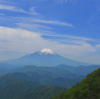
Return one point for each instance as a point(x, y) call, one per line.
point(61, 75)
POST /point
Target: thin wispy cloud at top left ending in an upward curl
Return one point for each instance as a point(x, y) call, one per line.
point(16, 9)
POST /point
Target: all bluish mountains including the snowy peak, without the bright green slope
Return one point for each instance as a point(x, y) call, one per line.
point(40, 75)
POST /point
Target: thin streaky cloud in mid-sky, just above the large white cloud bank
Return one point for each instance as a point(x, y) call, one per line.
point(41, 23)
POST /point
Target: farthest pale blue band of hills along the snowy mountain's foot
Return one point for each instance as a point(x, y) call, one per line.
point(79, 70)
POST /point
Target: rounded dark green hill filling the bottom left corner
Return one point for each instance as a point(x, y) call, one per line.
point(14, 85)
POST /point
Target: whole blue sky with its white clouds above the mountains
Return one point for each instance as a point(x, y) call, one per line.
point(70, 28)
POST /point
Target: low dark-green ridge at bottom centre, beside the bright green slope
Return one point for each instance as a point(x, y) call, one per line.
point(43, 92)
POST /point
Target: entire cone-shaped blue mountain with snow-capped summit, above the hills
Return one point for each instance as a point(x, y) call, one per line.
point(44, 57)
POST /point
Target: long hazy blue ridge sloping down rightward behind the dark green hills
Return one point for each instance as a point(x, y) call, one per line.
point(47, 72)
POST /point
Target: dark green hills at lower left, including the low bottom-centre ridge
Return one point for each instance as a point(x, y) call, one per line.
point(21, 86)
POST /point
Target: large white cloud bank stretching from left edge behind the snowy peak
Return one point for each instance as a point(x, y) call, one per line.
point(26, 41)
